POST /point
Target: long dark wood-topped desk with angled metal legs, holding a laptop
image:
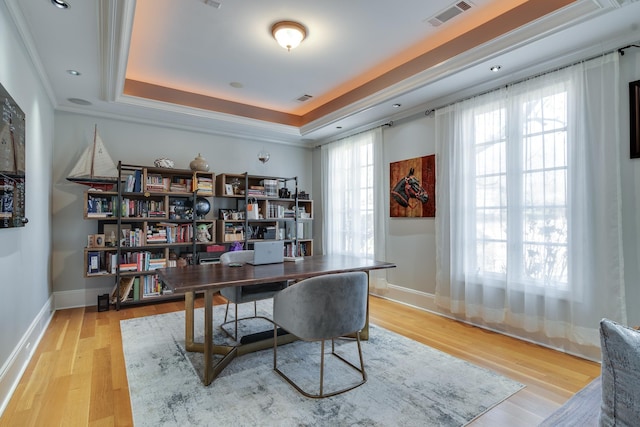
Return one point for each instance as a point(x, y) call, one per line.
point(209, 278)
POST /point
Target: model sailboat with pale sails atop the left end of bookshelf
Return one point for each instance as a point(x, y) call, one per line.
point(95, 167)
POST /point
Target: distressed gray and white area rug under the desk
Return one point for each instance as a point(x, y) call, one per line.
point(409, 384)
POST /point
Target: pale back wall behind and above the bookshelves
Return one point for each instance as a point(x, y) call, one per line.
point(137, 143)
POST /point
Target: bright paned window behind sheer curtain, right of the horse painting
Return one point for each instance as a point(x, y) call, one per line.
point(521, 189)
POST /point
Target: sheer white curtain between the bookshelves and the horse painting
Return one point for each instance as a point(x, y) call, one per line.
point(354, 198)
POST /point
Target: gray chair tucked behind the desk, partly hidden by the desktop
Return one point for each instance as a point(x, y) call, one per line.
point(242, 294)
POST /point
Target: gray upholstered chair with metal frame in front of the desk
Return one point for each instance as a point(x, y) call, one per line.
point(319, 309)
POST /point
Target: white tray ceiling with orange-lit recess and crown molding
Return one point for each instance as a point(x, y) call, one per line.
point(188, 46)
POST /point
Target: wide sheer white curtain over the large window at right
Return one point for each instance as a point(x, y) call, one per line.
point(528, 231)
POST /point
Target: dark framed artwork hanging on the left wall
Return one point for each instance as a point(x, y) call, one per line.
point(12, 162)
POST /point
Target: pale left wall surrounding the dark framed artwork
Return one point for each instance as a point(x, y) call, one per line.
point(25, 306)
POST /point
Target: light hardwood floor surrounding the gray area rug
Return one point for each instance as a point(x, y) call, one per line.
point(77, 375)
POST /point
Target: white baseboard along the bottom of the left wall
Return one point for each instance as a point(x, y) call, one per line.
point(15, 366)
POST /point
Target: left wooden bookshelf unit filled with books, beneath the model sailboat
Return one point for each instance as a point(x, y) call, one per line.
point(154, 215)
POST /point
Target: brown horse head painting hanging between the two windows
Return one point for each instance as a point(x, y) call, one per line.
point(413, 188)
